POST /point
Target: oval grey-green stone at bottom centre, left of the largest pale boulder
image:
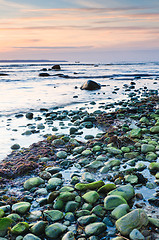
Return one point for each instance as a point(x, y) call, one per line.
point(95, 229)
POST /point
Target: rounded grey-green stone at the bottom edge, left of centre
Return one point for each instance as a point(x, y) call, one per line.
point(54, 231)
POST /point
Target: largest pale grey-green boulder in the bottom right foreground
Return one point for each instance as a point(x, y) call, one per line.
point(135, 219)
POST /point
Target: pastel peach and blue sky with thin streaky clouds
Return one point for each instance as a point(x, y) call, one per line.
point(84, 30)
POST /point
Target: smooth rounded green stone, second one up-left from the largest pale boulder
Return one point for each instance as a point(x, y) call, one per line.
point(111, 202)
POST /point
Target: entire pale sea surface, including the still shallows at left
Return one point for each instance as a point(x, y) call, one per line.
point(22, 90)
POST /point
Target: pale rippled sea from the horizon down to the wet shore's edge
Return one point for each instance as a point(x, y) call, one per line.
point(23, 88)
